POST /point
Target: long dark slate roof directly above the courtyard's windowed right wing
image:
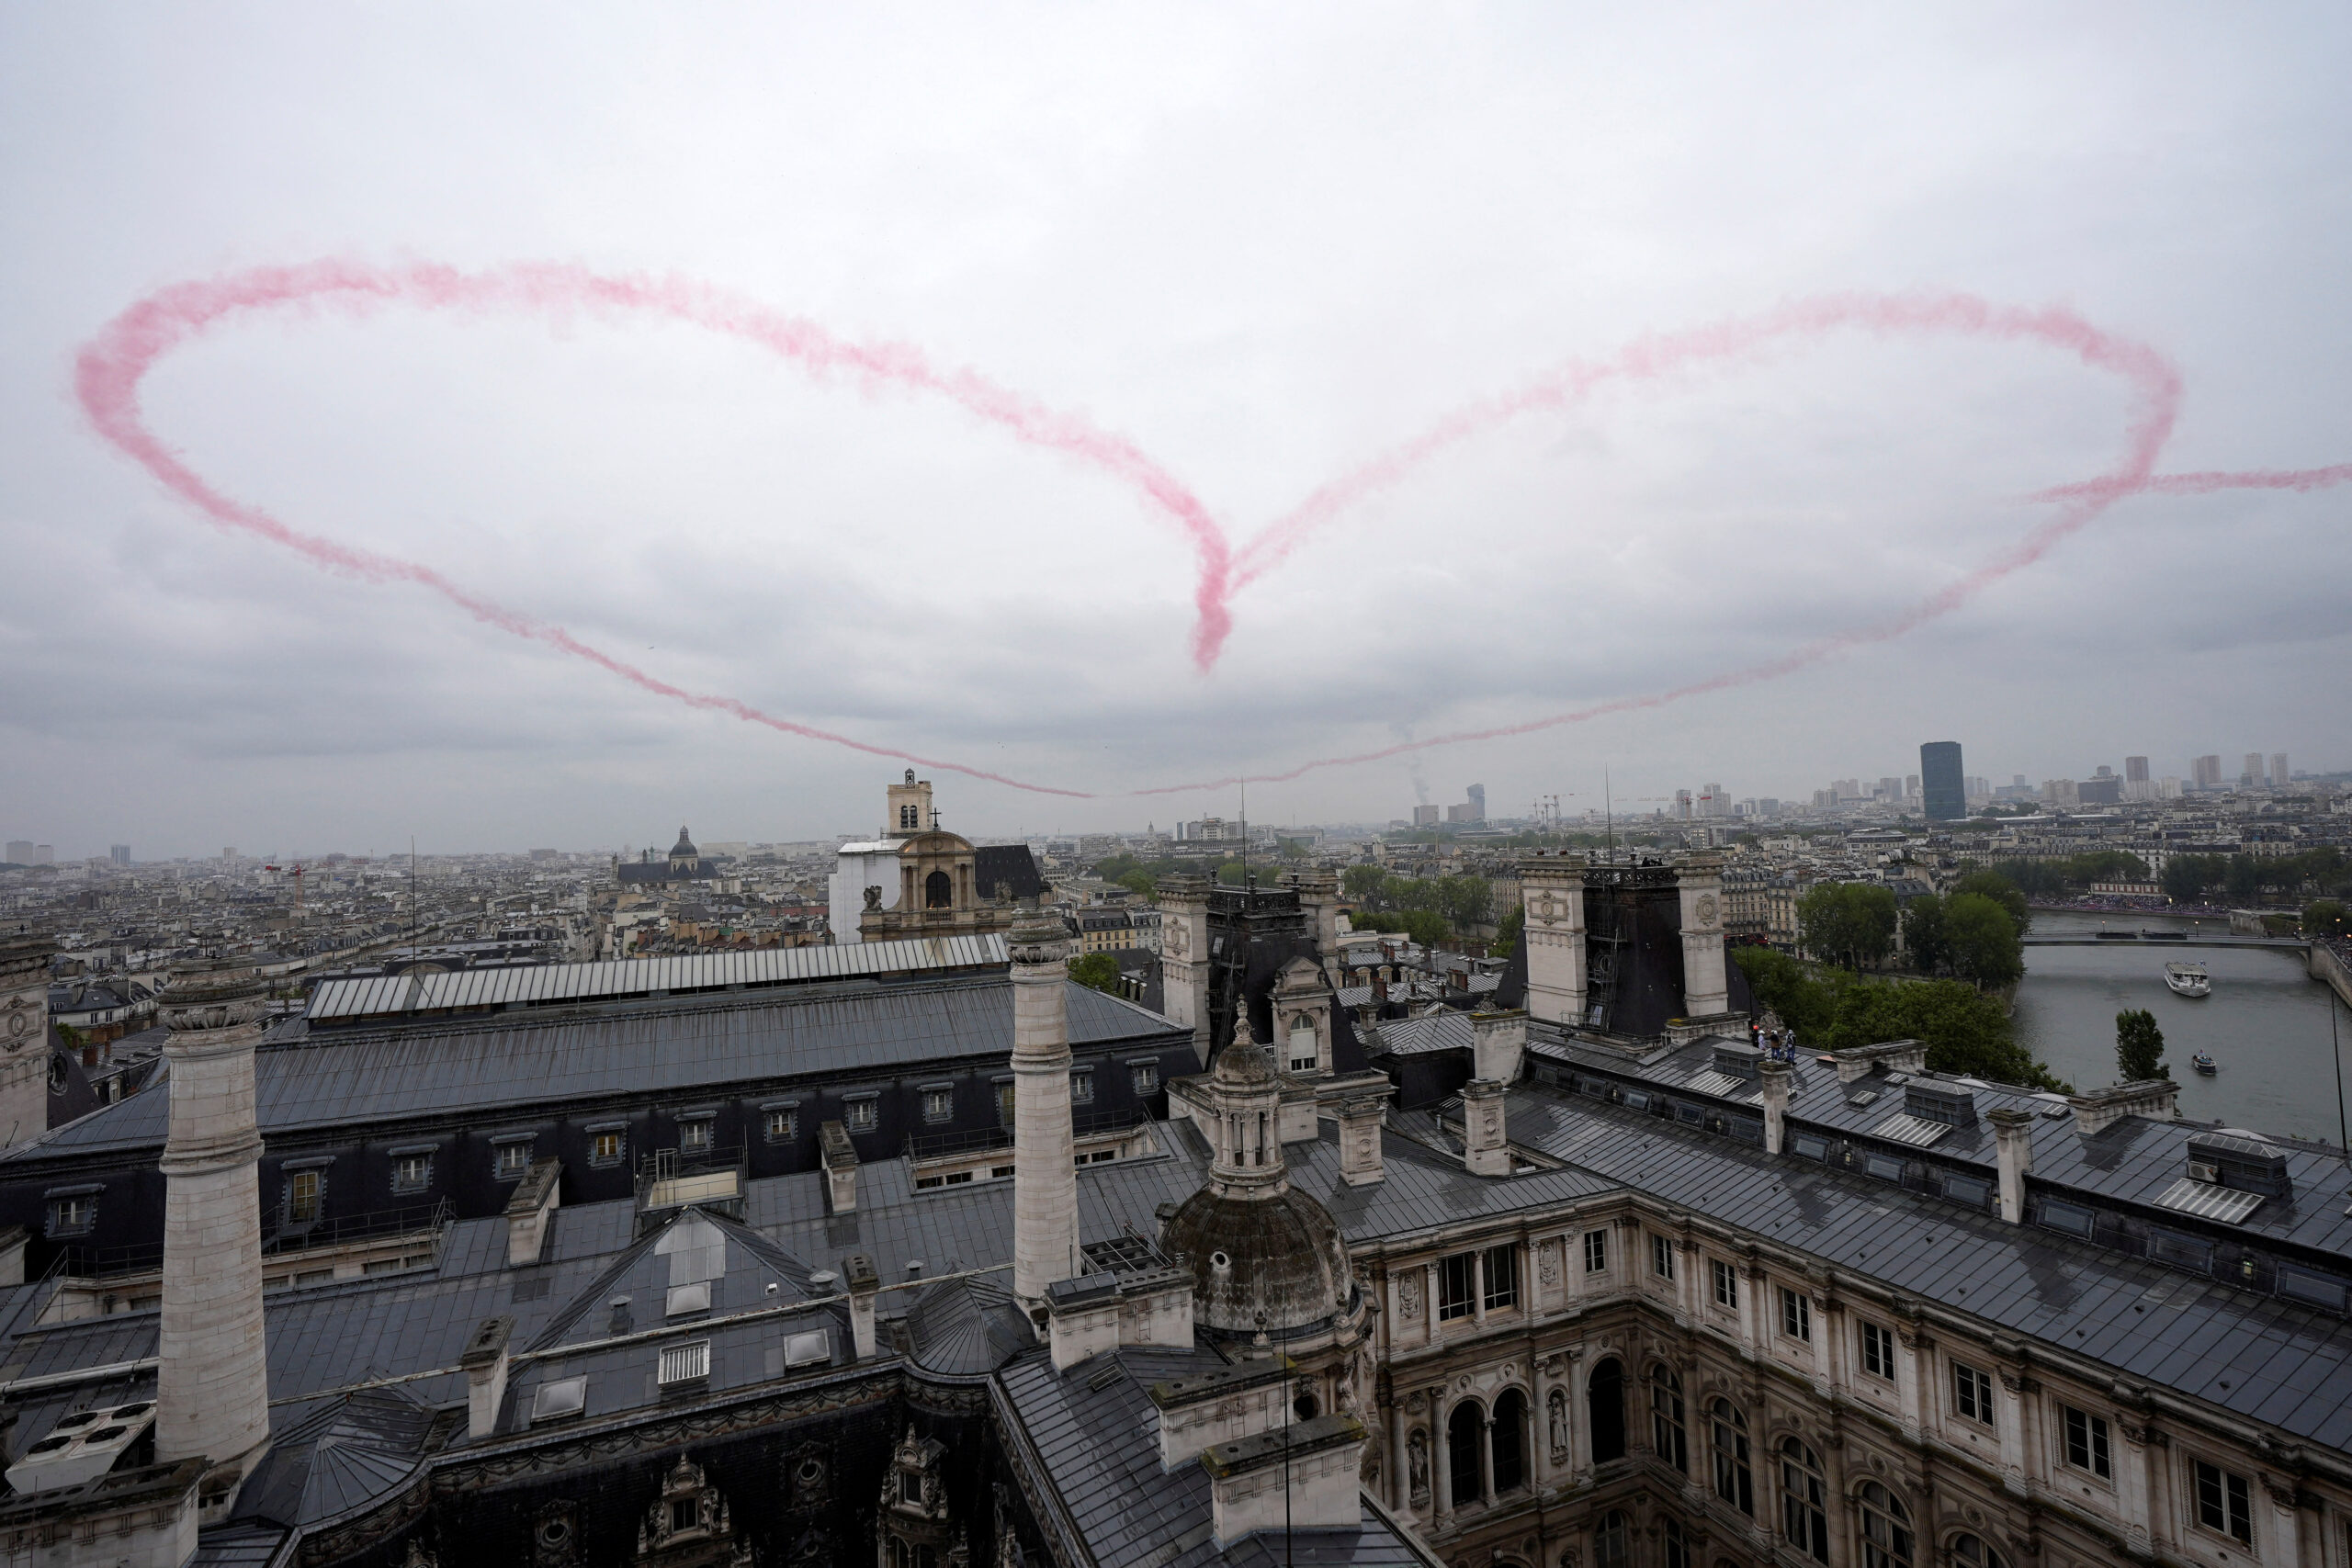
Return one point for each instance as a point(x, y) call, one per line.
point(2250, 1355)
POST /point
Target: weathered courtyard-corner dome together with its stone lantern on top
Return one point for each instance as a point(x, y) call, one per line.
point(1262, 1254)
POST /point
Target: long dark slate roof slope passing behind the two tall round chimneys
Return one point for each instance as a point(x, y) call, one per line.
point(627, 1052)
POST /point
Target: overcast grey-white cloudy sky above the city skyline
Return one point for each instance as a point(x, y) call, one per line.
point(1259, 246)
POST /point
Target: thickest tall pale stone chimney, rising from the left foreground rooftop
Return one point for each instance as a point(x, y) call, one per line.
point(213, 1379)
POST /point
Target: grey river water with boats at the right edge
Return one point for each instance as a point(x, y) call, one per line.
point(2266, 1024)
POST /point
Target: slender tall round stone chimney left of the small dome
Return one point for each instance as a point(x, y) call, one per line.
point(1045, 1181)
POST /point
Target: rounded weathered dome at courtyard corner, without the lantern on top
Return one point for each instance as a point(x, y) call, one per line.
point(1278, 1254)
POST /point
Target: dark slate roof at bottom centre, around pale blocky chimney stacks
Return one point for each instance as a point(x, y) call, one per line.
point(1093, 1430)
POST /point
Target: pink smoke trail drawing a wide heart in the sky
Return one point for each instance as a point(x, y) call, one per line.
point(114, 366)
